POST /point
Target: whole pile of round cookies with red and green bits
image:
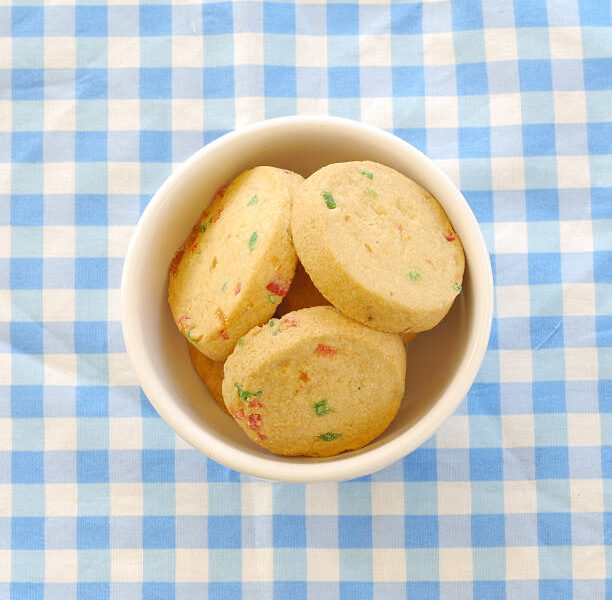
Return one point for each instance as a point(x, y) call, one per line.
point(308, 357)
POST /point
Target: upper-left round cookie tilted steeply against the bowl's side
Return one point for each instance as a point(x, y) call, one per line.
point(237, 264)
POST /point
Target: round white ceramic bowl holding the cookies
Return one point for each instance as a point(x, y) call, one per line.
point(442, 363)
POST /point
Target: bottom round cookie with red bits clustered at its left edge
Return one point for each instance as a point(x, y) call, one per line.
point(314, 383)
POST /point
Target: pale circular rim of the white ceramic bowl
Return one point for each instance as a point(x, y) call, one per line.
point(340, 467)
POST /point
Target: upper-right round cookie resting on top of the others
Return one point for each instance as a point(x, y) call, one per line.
point(378, 246)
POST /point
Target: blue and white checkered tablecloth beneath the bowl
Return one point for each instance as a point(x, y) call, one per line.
point(98, 497)
